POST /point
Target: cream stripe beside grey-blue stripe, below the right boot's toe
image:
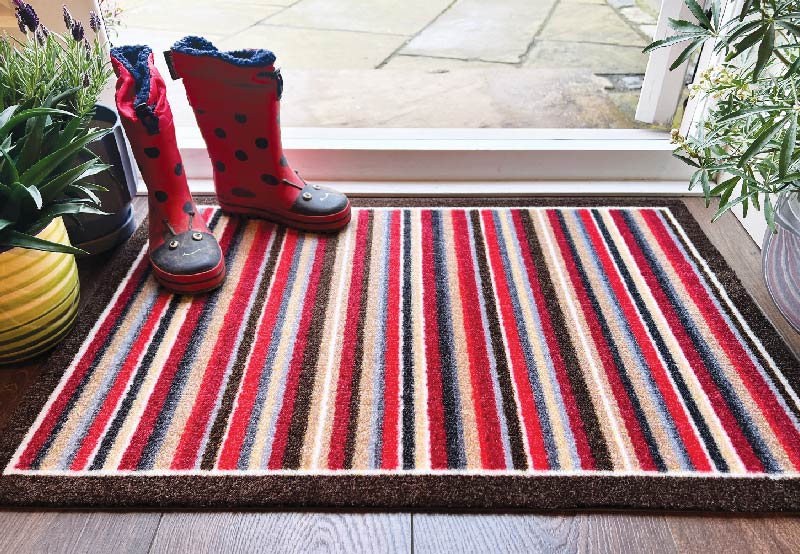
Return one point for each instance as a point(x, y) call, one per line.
point(284, 352)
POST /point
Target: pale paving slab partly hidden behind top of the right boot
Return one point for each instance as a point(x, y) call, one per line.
point(317, 49)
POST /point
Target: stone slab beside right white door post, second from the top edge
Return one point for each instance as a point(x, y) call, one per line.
point(597, 58)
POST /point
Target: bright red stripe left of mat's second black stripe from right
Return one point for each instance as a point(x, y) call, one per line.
point(677, 411)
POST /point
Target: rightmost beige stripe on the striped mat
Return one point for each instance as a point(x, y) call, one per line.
point(727, 365)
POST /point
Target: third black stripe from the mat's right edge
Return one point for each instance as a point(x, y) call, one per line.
point(612, 347)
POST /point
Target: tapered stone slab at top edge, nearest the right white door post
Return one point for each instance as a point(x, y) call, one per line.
point(589, 23)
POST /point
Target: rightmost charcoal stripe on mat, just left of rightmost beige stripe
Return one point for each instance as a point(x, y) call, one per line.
point(748, 428)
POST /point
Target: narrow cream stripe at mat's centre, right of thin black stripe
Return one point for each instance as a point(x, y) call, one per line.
point(421, 429)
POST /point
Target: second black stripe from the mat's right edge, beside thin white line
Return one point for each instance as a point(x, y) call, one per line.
point(663, 349)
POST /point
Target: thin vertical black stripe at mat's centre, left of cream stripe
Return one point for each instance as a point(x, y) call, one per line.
point(408, 349)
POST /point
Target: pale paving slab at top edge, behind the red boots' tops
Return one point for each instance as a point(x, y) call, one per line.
point(192, 17)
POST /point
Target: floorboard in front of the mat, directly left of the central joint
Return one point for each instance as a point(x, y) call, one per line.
point(283, 533)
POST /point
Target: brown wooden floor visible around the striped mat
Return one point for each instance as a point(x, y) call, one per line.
point(39, 531)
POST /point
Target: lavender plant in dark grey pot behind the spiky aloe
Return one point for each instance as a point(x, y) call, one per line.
point(79, 62)
